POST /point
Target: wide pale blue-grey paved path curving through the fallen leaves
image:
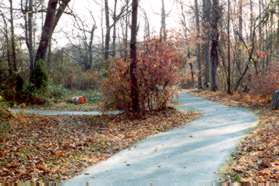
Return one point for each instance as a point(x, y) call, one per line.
point(190, 155)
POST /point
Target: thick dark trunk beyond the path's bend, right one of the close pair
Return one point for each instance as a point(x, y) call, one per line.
point(214, 56)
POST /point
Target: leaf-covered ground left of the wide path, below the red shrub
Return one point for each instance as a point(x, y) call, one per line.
point(55, 148)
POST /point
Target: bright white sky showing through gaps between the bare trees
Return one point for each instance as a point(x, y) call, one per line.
point(83, 8)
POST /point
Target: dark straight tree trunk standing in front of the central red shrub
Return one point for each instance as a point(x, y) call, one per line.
point(133, 65)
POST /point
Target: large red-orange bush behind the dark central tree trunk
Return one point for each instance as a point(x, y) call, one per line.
point(158, 64)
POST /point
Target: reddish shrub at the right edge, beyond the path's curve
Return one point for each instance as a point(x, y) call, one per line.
point(265, 84)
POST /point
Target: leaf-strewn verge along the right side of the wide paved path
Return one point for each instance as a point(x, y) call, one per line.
point(257, 157)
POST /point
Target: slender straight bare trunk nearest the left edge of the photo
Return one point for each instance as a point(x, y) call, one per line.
point(13, 44)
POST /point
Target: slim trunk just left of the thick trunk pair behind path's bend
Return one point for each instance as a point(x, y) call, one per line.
point(198, 47)
